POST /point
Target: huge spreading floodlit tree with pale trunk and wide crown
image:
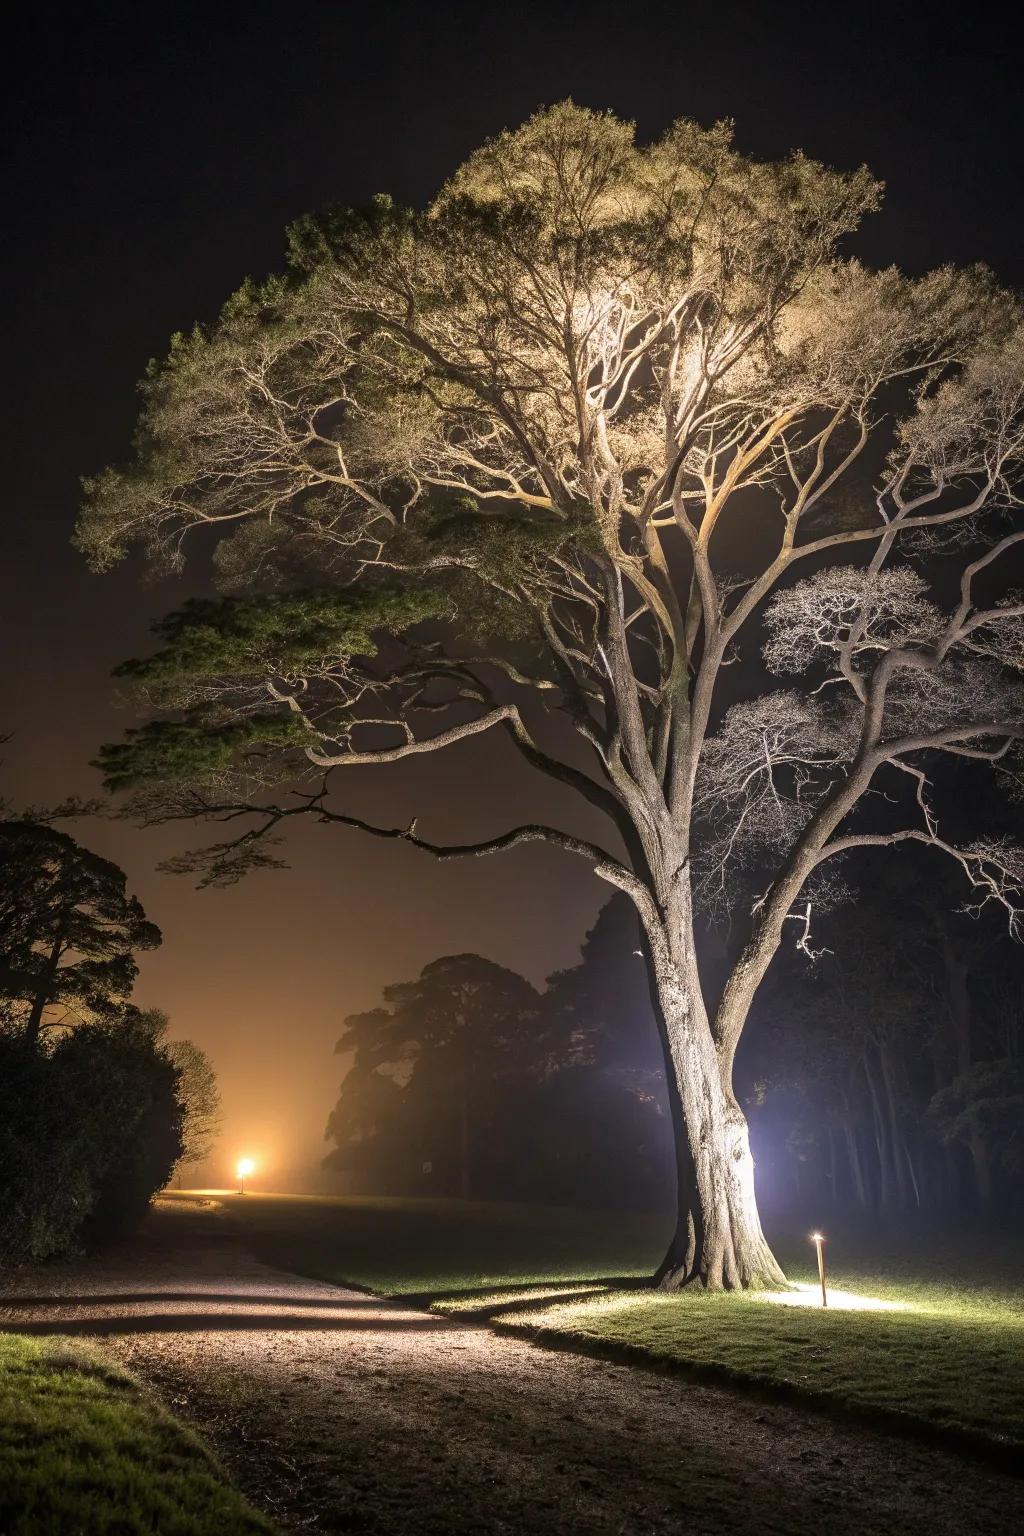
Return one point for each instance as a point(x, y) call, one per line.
point(593, 414)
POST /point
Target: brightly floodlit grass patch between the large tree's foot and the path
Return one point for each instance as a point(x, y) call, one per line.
point(920, 1334)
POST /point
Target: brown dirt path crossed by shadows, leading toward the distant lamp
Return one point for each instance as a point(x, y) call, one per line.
point(345, 1414)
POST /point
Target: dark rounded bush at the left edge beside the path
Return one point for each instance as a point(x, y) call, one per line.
point(90, 1131)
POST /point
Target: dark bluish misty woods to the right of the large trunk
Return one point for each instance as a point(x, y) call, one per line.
point(890, 1076)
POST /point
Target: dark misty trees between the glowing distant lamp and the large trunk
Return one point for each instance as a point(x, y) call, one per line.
point(471, 1082)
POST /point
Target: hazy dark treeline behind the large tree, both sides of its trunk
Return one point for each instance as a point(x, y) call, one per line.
point(885, 1071)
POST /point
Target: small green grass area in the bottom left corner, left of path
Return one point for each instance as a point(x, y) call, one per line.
point(85, 1451)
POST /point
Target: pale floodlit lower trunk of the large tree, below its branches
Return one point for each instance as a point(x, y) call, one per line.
point(718, 1242)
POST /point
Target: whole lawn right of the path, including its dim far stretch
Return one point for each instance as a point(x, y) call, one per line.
point(930, 1334)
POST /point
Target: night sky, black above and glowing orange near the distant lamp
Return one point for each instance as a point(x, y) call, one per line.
point(156, 156)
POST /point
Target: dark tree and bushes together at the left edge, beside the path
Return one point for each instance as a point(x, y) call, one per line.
point(97, 1107)
